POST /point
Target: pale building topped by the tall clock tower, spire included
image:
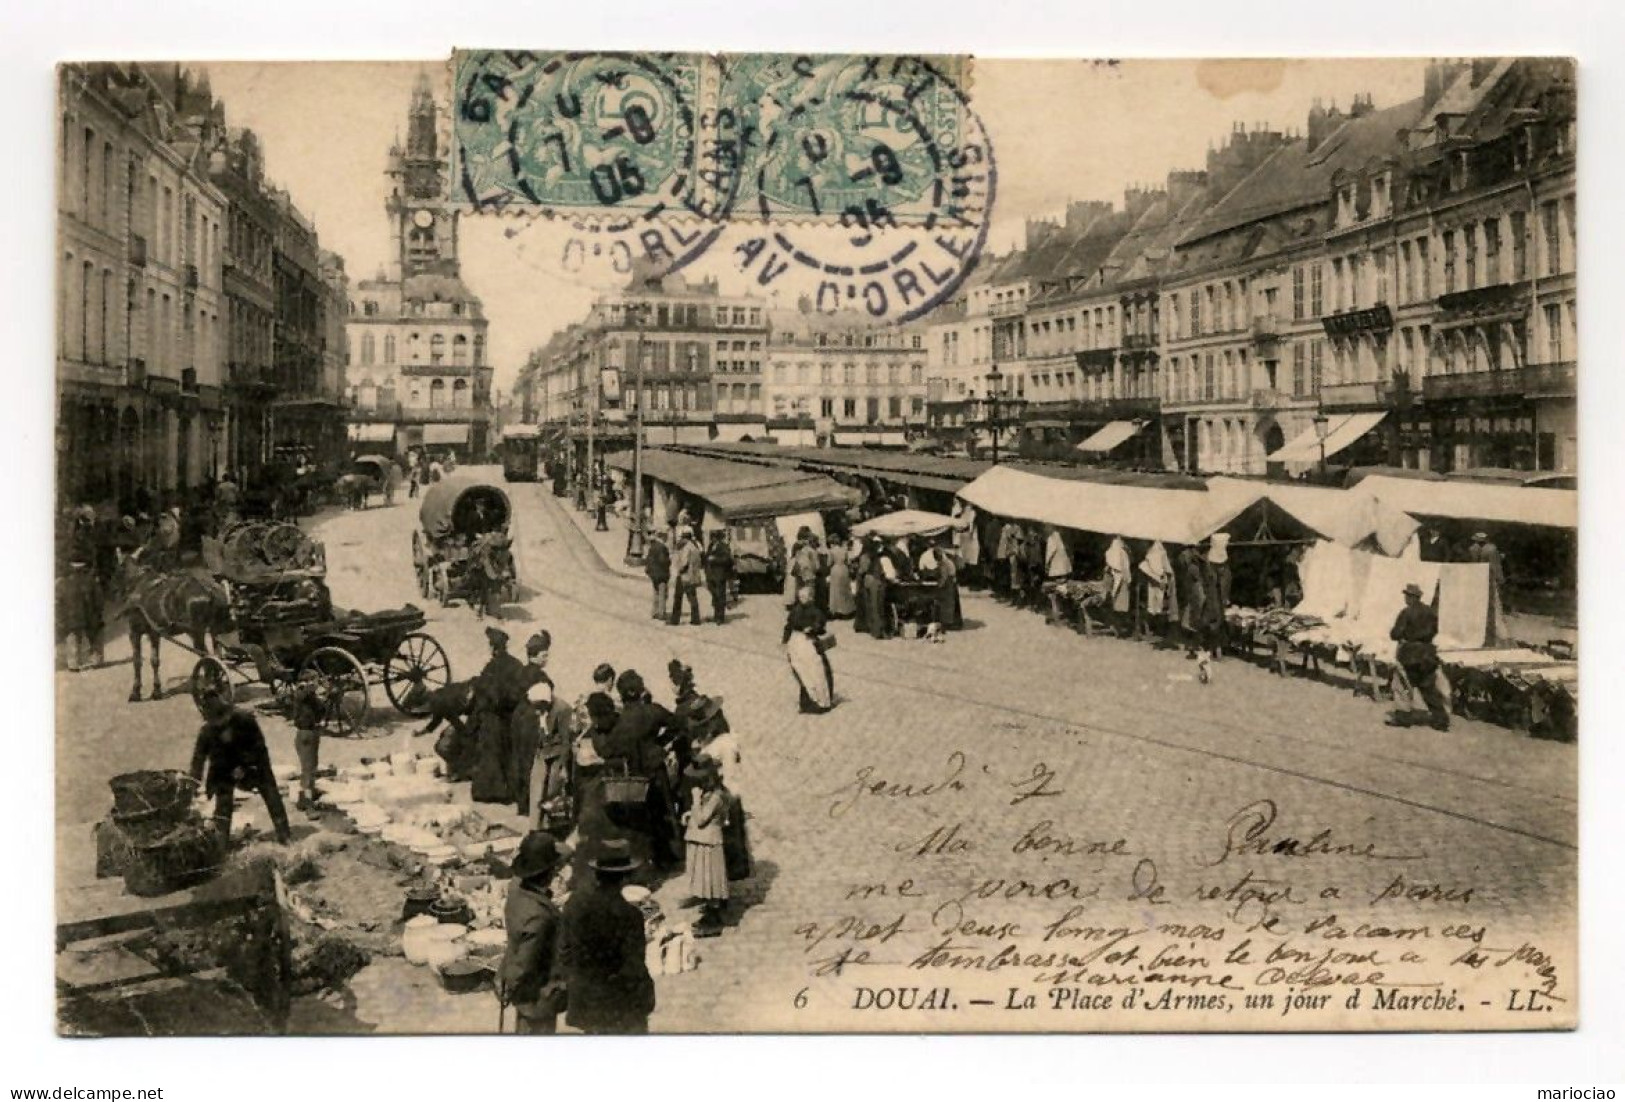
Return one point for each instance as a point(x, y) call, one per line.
point(418, 373)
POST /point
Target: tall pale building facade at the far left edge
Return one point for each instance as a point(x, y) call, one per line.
point(141, 303)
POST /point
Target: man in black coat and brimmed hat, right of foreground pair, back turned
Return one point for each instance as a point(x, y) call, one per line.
point(602, 952)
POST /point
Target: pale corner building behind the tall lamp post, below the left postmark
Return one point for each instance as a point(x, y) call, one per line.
point(693, 358)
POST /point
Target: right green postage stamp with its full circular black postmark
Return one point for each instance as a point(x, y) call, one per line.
point(872, 181)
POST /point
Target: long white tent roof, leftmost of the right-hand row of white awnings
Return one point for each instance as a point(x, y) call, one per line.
point(1138, 513)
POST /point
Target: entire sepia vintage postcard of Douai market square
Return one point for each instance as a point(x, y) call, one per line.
point(675, 542)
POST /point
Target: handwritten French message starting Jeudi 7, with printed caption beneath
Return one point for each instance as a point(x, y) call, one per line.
point(1010, 896)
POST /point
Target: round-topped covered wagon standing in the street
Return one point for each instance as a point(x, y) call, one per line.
point(462, 545)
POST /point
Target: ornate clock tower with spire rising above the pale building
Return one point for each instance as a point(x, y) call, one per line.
point(422, 222)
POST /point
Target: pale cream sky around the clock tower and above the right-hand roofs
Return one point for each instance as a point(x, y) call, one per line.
point(1060, 129)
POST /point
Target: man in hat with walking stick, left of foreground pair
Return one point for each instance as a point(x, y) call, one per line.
point(531, 979)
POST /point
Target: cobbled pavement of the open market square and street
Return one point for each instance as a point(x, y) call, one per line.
point(1012, 784)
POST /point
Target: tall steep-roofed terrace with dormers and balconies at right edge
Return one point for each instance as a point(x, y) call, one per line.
point(1415, 245)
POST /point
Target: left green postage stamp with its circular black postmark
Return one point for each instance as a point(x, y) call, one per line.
point(617, 145)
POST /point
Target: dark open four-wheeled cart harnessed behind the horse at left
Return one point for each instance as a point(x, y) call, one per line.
point(284, 627)
